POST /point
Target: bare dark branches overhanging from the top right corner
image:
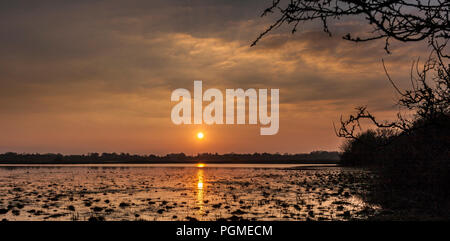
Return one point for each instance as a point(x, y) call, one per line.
point(403, 20)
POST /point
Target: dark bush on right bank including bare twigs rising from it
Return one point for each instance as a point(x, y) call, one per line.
point(410, 155)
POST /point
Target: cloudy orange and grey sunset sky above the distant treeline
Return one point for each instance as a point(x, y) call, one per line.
point(96, 76)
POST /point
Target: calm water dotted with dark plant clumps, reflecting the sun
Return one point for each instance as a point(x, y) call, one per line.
point(183, 192)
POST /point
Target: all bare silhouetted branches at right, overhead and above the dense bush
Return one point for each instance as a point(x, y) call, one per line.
point(406, 21)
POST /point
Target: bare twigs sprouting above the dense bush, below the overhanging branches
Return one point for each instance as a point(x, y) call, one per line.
point(429, 99)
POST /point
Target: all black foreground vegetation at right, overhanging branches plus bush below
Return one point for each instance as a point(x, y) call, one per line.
point(410, 154)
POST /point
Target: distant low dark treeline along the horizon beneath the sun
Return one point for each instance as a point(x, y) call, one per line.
point(320, 157)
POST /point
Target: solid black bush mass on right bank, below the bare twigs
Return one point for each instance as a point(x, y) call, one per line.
point(413, 167)
